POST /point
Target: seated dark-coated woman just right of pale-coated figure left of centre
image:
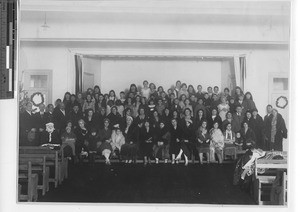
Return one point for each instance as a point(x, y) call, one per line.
point(130, 148)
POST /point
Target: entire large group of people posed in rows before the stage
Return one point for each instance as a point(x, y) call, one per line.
point(153, 123)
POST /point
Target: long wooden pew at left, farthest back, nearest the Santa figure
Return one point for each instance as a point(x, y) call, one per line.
point(57, 156)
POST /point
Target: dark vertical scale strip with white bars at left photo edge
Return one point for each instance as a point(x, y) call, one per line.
point(8, 44)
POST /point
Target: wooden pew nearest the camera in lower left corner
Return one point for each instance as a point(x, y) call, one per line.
point(26, 175)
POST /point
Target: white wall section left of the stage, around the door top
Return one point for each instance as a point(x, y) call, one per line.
point(55, 58)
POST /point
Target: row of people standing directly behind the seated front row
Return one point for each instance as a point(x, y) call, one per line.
point(32, 126)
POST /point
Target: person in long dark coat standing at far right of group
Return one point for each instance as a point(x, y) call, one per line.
point(275, 131)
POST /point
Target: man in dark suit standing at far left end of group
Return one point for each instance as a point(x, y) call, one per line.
point(27, 126)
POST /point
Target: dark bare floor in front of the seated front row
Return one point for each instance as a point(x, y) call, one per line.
point(134, 183)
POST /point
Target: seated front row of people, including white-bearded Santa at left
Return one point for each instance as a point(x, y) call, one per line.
point(164, 141)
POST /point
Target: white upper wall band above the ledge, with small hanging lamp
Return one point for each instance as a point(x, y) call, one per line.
point(156, 26)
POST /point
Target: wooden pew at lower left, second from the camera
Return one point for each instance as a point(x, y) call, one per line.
point(38, 165)
